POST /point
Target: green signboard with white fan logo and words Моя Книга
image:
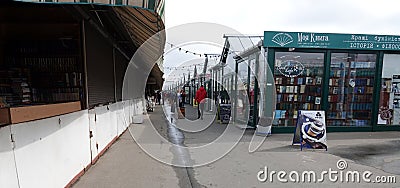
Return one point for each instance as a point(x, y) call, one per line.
point(331, 41)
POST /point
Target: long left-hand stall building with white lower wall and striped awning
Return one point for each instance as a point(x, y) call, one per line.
point(63, 71)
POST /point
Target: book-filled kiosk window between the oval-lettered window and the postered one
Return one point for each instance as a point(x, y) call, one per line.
point(351, 86)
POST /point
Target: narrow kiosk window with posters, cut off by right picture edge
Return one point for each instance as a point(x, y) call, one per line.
point(389, 103)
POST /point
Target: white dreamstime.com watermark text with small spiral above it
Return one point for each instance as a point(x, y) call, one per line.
point(341, 175)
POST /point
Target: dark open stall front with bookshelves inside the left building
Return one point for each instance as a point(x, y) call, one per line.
point(41, 72)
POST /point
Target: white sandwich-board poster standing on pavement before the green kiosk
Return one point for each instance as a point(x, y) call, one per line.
point(311, 130)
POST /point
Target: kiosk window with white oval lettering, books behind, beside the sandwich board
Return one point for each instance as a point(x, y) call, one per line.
point(298, 80)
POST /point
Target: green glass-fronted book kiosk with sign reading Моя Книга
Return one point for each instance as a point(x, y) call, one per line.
point(354, 78)
